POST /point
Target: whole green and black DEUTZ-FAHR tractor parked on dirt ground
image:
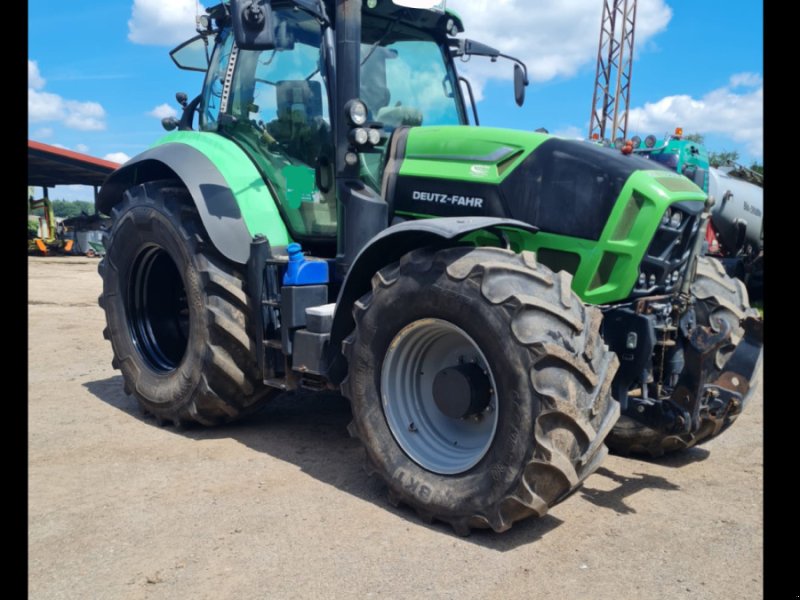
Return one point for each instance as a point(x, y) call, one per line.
point(489, 301)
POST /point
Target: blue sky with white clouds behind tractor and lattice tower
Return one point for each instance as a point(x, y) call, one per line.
point(100, 77)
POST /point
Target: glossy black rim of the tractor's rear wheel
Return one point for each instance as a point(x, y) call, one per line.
point(158, 312)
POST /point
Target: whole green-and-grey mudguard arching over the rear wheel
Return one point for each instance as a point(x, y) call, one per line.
point(233, 201)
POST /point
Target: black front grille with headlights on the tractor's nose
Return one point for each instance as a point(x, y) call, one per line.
point(669, 252)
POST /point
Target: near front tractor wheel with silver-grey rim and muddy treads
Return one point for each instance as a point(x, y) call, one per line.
point(479, 385)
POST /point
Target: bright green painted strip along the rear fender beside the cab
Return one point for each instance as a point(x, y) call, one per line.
point(258, 207)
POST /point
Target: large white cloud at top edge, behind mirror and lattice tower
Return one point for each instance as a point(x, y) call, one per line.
point(554, 39)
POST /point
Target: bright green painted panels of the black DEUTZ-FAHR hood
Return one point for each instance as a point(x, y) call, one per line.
point(607, 268)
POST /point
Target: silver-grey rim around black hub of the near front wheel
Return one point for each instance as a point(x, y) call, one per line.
point(437, 442)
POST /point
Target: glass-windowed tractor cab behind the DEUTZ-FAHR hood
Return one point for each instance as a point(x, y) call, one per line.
point(273, 95)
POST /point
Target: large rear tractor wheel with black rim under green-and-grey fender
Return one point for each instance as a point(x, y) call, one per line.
point(177, 313)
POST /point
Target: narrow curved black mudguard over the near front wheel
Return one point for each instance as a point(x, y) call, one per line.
point(388, 247)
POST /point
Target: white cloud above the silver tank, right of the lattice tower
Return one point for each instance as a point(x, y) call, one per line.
point(738, 114)
